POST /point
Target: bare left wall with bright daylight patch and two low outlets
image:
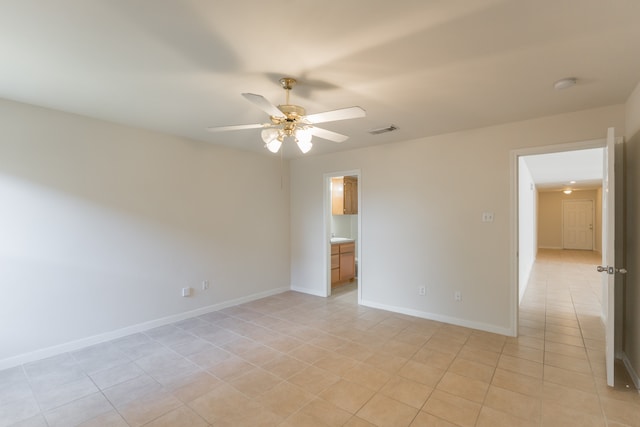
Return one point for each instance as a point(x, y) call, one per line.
point(102, 225)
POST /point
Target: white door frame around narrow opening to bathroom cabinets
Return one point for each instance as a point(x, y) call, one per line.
point(326, 229)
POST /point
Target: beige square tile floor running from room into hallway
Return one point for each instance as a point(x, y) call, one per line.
point(295, 360)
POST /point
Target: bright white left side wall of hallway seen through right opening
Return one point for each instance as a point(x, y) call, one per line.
point(527, 226)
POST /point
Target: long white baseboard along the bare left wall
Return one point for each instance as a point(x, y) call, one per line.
point(119, 333)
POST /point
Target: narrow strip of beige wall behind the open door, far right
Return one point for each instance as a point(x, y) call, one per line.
point(631, 344)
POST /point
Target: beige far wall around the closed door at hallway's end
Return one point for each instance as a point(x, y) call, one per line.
point(550, 217)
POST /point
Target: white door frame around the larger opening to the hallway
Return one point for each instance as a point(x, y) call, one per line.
point(514, 172)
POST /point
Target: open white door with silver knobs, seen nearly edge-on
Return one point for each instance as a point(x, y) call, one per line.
point(607, 268)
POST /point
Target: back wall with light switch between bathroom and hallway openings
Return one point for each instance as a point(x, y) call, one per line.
point(421, 205)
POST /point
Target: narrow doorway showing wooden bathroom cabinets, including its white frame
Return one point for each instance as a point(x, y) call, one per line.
point(342, 231)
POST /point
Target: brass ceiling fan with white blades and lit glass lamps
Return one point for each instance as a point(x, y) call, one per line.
point(292, 121)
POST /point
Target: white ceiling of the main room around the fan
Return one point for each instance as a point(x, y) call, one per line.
point(427, 66)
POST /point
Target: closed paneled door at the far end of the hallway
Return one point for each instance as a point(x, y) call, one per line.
point(577, 224)
